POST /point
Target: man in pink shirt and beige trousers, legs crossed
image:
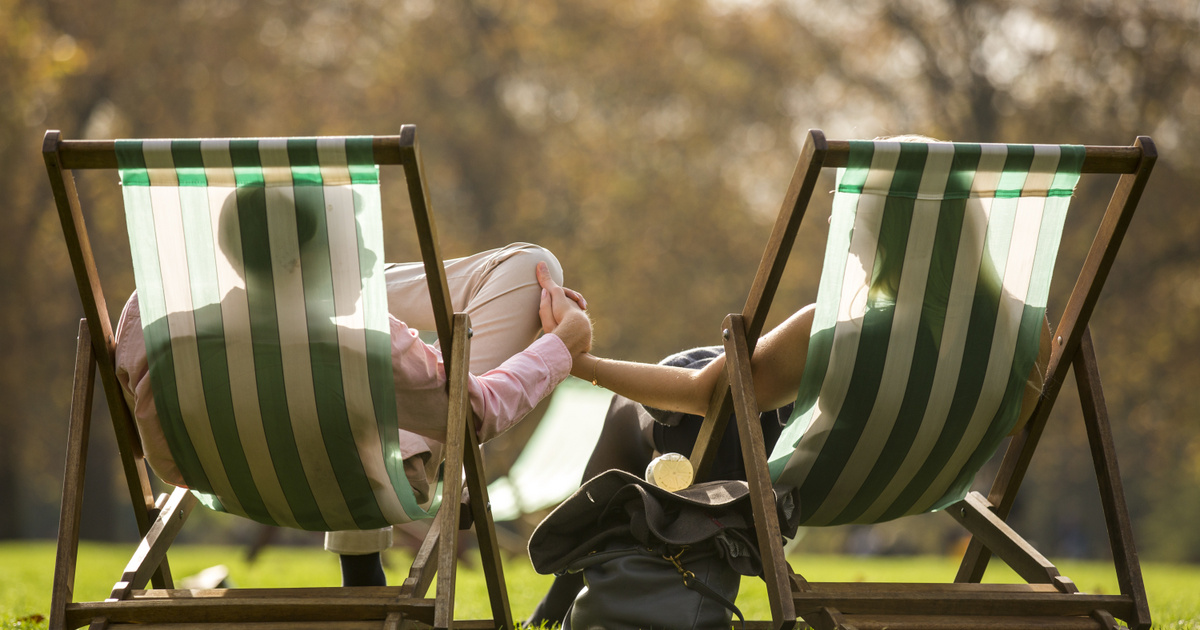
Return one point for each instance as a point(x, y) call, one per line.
point(513, 370)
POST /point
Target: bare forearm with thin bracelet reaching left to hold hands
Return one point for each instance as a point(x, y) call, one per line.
point(657, 386)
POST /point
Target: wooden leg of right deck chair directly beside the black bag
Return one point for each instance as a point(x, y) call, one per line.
point(771, 539)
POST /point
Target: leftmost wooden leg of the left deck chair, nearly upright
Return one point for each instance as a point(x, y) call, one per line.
point(79, 431)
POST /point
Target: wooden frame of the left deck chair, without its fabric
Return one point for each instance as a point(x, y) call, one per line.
point(160, 520)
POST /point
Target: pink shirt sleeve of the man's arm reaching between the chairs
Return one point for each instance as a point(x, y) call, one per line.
point(500, 398)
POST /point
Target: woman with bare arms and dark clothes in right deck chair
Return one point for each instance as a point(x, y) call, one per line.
point(777, 365)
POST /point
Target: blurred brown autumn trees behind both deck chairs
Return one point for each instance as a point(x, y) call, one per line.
point(650, 145)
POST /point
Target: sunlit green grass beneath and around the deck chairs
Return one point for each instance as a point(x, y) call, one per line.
point(28, 571)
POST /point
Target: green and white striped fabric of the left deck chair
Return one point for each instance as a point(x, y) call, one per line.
point(260, 274)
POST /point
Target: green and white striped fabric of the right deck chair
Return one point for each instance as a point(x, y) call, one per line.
point(928, 323)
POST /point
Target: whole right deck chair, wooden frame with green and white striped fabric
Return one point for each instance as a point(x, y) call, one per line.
point(927, 323)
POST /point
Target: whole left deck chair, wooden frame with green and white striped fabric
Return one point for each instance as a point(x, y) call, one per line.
point(260, 274)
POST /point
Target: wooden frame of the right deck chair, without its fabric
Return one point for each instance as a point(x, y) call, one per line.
point(1048, 601)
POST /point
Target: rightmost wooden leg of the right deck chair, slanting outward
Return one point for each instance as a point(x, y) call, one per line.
point(1108, 476)
